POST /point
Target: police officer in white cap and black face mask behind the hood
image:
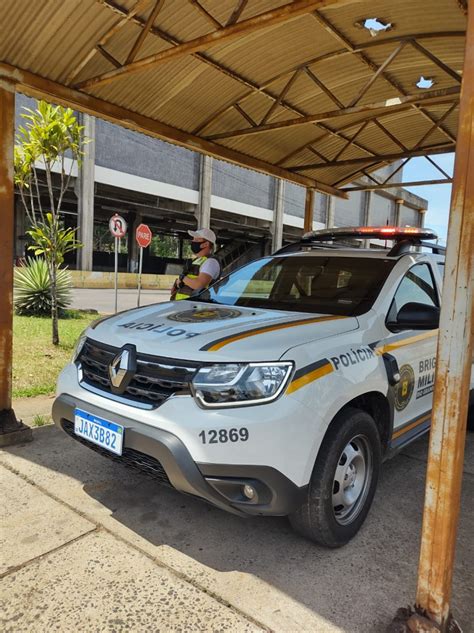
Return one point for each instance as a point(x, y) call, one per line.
point(202, 270)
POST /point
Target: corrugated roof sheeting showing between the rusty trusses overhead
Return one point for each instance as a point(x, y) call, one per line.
point(55, 38)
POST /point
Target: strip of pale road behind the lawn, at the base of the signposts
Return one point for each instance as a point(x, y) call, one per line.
point(103, 300)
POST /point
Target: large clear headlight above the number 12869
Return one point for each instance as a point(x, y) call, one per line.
point(240, 384)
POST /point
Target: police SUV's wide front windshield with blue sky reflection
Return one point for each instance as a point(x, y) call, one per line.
point(345, 286)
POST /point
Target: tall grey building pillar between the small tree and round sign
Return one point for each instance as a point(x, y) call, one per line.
point(85, 195)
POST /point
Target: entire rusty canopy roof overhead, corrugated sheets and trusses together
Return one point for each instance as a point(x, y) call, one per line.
point(302, 90)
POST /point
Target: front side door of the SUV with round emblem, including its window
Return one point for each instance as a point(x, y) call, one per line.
point(415, 354)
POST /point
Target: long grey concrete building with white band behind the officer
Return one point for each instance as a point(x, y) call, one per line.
point(173, 189)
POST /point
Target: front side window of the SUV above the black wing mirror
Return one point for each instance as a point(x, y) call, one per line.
point(416, 286)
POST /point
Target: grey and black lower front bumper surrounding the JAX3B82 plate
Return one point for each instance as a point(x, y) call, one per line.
point(164, 456)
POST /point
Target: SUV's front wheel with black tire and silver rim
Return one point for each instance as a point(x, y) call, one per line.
point(351, 450)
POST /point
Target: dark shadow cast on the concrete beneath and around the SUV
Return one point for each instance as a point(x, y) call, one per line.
point(356, 588)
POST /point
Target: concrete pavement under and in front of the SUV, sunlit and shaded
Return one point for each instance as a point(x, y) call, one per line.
point(90, 545)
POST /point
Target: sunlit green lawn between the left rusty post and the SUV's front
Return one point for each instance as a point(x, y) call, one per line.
point(36, 361)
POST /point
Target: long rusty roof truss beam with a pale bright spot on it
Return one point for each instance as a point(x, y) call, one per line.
point(397, 104)
